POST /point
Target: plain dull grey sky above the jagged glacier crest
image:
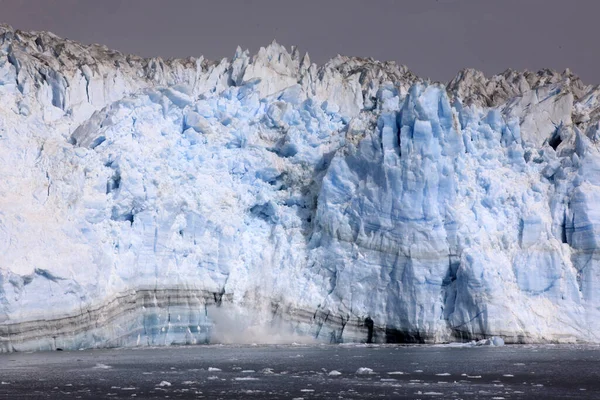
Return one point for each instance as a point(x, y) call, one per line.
point(433, 38)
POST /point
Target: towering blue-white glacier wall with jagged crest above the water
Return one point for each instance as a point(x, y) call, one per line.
point(145, 201)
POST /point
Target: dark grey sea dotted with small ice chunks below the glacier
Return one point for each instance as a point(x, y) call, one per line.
point(307, 372)
